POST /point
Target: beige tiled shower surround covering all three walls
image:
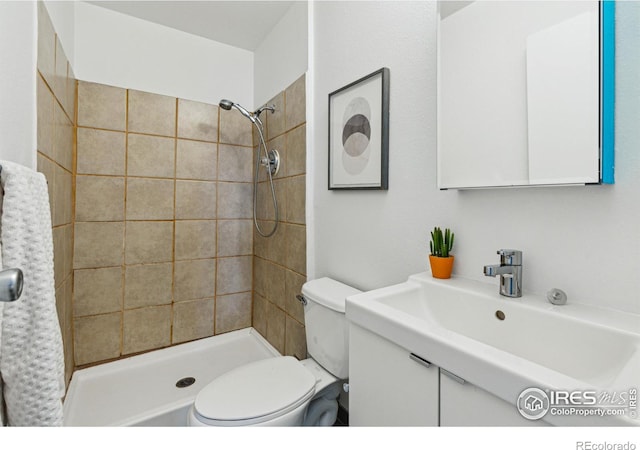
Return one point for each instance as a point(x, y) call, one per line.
point(152, 207)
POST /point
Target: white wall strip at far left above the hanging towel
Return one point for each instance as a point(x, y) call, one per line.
point(18, 25)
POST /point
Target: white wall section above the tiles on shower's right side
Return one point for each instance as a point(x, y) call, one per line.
point(282, 57)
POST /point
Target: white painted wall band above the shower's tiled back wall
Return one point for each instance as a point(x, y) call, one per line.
point(124, 51)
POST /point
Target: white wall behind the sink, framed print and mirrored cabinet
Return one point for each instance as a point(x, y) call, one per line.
point(584, 240)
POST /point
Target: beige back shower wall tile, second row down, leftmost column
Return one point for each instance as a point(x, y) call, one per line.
point(101, 152)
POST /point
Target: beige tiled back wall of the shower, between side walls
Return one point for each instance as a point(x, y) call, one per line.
point(148, 272)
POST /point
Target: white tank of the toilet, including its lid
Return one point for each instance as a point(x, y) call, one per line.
point(326, 324)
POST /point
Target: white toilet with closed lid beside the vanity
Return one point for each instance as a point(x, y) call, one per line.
point(283, 391)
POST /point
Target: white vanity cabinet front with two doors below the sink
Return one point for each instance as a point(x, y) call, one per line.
point(389, 387)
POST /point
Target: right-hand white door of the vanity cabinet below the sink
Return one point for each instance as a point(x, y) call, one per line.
point(463, 404)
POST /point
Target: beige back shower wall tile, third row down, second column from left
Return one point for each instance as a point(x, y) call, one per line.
point(149, 199)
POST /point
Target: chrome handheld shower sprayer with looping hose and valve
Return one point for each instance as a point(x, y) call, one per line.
point(271, 160)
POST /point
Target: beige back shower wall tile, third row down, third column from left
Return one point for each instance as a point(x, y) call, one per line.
point(195, 200)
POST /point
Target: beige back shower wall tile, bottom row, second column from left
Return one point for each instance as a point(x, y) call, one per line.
point(146, 329)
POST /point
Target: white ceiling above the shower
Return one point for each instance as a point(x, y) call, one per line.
point(239, 23)
